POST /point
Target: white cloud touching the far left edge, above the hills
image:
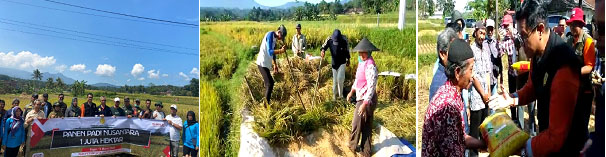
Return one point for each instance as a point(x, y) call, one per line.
point(25, 60)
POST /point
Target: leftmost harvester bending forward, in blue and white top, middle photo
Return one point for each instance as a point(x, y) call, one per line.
point(266, 60)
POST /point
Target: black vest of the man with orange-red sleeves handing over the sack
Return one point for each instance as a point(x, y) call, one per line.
point(544, 69)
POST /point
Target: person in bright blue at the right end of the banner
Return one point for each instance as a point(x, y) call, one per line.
point(190, 135)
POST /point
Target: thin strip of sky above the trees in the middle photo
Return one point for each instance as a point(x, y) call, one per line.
point(269, 3)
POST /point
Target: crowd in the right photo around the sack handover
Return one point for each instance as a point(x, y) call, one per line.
point(563, 79)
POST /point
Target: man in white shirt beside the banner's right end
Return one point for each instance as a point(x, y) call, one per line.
point(175, 123)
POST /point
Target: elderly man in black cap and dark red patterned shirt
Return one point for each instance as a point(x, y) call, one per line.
point(443, 130)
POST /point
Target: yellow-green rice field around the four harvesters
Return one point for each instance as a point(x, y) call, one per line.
point(241, 40)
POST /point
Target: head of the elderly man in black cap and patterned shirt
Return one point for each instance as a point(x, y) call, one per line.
point(460, 64)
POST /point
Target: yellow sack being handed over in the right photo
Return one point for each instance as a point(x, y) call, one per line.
point(501, 135)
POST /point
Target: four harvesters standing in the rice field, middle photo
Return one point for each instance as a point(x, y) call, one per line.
point(363, 90)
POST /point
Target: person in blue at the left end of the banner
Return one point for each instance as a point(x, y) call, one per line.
point(14, 133)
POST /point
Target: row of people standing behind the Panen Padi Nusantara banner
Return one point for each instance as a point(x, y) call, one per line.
point(16, 121)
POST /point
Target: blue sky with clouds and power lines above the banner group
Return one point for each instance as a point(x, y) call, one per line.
point(102, 63)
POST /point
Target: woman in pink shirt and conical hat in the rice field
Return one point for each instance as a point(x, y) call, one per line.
point(364, 87)
